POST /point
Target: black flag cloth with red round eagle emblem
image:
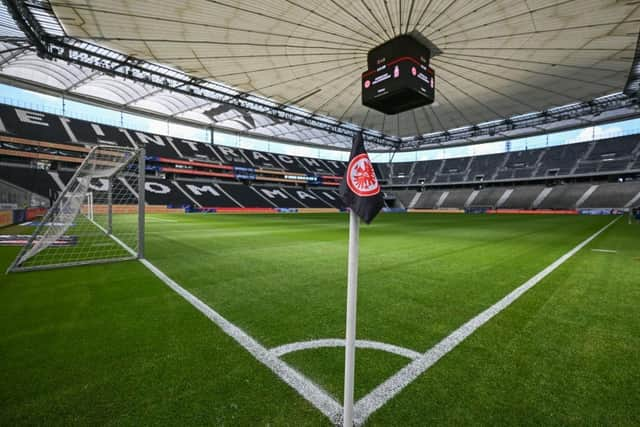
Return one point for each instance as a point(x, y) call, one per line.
point(360, 189)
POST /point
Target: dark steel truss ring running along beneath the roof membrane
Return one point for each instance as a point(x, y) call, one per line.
point(115, 64)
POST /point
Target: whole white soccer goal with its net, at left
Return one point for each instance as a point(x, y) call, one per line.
point(98, 217)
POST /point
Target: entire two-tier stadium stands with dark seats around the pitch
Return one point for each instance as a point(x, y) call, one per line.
point(189, 173)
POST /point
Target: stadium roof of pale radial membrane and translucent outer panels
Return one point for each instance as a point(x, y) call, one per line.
point(500, 58)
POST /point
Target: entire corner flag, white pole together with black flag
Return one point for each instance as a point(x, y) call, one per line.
point(360, 191)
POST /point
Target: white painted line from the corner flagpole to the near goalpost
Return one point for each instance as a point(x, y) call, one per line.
point(305, 387)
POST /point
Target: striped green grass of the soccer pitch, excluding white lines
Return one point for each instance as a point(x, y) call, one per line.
point(112, 345)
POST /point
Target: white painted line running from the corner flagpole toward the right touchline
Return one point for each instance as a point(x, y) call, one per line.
point(392, 386)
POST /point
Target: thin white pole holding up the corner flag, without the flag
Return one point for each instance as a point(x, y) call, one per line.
point(352, 297)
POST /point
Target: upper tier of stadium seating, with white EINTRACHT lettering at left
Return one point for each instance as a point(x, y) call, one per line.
point(176, 155)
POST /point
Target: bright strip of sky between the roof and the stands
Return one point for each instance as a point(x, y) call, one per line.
point(56, 105)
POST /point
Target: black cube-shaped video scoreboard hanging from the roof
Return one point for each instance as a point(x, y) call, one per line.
point(399, 77)
